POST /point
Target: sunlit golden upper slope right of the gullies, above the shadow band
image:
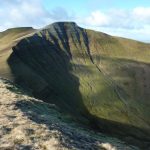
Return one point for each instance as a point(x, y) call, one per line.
point(118, 47)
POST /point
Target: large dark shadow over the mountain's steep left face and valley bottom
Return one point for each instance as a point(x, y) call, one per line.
point(44, 68)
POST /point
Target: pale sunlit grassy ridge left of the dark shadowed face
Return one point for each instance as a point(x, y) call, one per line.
point(8, 39)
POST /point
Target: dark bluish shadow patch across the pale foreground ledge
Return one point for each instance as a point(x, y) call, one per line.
point(50, 115)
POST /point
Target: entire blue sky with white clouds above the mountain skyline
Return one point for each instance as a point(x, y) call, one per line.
point(126, 18)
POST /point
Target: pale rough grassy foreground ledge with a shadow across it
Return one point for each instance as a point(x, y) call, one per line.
point(30, 124)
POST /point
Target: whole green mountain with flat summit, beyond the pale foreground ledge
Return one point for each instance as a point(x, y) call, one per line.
point(101, 80)
